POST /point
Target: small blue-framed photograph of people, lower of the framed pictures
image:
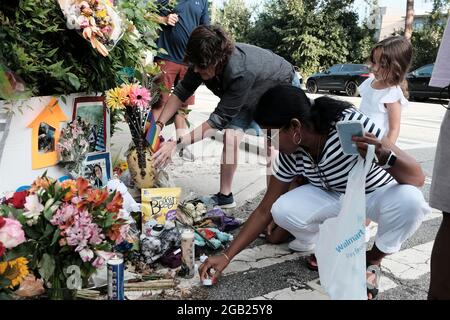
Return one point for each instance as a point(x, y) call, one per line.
point(97, 169)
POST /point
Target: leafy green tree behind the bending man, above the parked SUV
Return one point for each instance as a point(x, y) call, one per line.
point(312, 34)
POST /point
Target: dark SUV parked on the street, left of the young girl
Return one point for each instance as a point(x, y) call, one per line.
point(340, 77)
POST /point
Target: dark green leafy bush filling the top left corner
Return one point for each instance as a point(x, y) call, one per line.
point(53, 60)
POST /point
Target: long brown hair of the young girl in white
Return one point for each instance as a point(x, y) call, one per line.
point(395, 57)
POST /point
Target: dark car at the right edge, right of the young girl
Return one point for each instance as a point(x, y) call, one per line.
point(418, 85)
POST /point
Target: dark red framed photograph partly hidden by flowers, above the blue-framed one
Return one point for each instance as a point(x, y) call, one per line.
point(94, 111)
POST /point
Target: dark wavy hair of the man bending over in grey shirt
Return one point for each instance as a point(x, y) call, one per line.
point(209, 46)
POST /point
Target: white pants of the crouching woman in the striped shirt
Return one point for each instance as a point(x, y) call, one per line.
point(397, 208)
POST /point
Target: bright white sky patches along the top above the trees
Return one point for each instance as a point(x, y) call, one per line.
point(394, 6)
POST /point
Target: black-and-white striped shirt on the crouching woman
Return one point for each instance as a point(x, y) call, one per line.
point(331, 173)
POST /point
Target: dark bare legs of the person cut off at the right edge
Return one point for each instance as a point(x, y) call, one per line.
point(440, 262)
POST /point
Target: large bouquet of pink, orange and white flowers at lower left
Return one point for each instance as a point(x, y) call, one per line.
point(71, 228)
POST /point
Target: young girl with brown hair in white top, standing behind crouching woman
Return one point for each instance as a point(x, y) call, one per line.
point(382, 95)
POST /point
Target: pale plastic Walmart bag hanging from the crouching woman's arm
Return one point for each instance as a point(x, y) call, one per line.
point(341, 246)
